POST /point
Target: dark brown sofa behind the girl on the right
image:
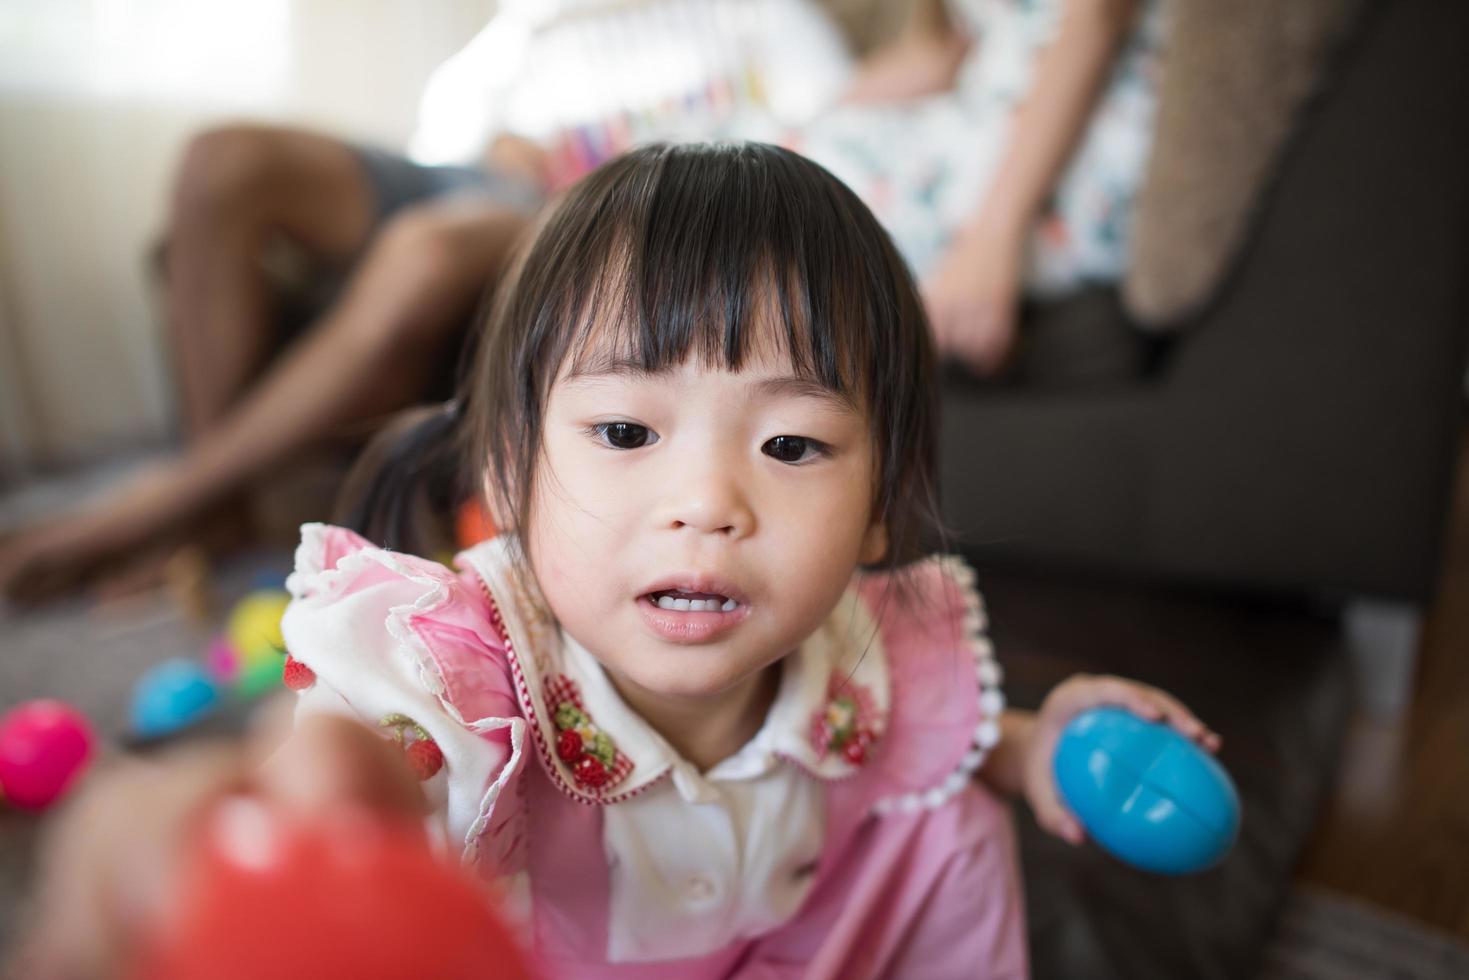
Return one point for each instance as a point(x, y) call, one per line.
point(1299, 433)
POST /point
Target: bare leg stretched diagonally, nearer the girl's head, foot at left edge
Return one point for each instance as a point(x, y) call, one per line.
point(371, 355)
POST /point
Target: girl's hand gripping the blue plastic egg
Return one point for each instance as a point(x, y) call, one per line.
point(1072, 699)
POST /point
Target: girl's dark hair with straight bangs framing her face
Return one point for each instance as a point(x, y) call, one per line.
point(710, 251)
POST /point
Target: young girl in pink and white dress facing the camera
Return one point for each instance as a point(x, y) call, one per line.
point(704, 707)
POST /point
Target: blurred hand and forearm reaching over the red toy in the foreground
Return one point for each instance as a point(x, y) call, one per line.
point(112, 863)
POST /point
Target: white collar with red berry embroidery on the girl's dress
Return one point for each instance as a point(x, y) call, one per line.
point(841, 666)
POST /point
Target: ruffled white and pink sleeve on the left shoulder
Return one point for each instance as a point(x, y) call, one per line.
point(409, 649)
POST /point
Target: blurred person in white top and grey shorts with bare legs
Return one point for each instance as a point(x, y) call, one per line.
point(553, 89)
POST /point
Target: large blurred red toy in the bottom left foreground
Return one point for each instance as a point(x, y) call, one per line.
point(347, 898)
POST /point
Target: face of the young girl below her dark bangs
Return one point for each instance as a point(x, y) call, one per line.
point(741, 500)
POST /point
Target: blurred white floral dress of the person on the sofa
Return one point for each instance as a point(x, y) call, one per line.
point(925, 167)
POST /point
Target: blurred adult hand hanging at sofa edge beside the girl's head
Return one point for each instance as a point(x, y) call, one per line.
point(973, 298)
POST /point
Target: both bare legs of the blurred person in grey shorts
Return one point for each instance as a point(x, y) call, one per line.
point(369, 355)
